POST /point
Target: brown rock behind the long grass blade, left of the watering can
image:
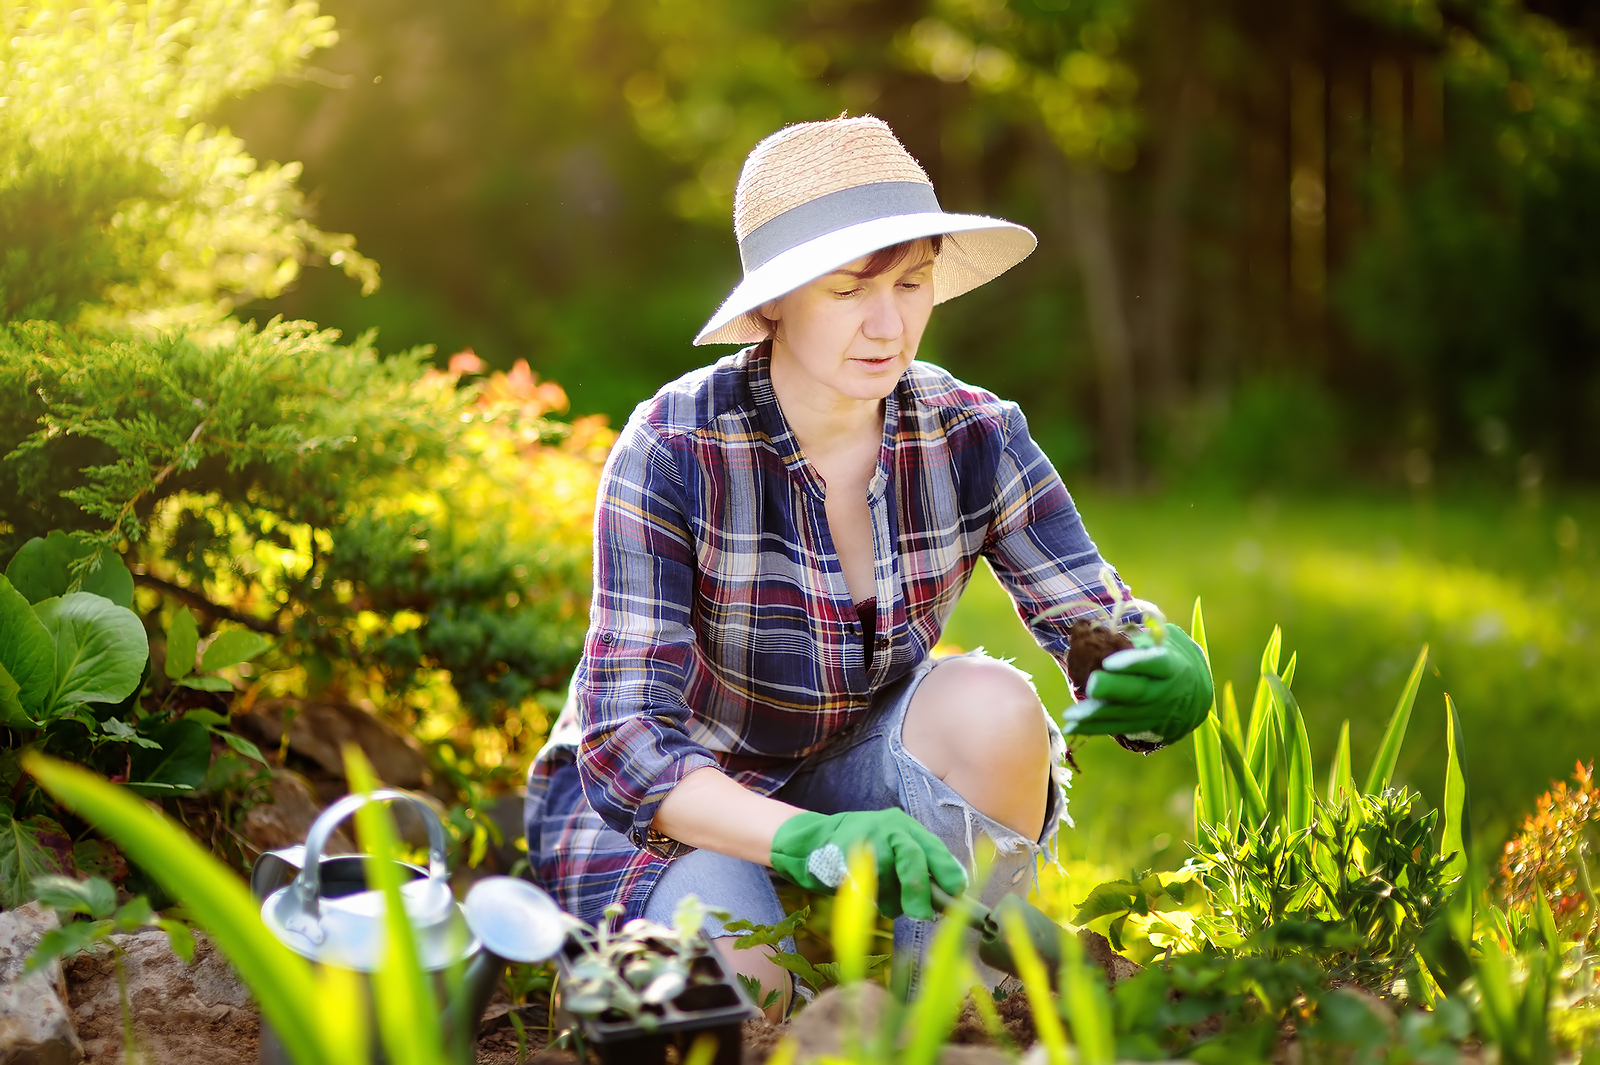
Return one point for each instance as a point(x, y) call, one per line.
point(198, 1015)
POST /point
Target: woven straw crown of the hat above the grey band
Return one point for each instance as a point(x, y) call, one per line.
point(809, 161)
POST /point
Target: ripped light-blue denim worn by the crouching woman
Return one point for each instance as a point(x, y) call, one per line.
point(870, 768)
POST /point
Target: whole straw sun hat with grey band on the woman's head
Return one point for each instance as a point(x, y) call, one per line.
point(822, 194)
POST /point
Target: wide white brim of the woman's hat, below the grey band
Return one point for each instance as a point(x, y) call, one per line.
point(983, 249)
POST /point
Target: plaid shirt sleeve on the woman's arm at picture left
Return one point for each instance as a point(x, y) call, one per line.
point(634, 720)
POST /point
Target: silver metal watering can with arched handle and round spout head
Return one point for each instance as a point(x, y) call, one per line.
point(322, 909)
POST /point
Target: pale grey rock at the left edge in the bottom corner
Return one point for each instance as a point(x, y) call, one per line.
point(36, 1027)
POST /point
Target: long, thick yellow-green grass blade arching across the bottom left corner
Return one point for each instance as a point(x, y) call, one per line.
point(218, 899)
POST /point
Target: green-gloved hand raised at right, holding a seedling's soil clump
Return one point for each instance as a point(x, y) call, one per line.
point(1154, 692)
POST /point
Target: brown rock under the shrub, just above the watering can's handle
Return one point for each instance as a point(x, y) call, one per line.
point(321, 730)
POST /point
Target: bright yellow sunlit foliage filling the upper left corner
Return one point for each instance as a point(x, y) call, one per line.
point(116, 199)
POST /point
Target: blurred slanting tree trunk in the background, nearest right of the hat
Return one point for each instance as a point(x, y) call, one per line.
point(1081, 204)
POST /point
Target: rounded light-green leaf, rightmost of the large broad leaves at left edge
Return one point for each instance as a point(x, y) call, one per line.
point(100, 648)
